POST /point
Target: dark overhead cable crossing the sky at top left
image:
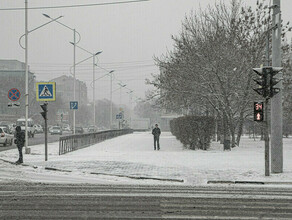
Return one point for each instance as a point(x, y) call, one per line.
point(74, 6)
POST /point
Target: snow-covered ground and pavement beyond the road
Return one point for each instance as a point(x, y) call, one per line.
point(124, 158)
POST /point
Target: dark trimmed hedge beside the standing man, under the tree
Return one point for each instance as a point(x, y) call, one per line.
point(194, 132)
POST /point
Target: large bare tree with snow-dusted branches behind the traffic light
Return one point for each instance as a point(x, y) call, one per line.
point(211, 64)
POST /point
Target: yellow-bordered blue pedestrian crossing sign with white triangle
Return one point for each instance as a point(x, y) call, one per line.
point(46, 91)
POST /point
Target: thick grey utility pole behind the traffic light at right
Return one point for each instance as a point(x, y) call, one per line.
point(276, 101)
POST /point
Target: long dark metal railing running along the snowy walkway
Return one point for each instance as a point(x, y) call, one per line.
point(78, 141)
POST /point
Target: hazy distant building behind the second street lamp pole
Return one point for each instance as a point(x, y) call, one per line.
point(64, 89)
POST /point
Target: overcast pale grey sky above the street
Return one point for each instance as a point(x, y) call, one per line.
point(128, 34)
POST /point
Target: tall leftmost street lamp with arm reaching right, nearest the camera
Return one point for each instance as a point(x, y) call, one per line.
point(26, 66)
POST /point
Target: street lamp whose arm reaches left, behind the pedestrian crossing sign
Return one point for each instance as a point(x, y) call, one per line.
point(74, 59)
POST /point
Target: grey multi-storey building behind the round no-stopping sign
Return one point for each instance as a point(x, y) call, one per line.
point(12, 75)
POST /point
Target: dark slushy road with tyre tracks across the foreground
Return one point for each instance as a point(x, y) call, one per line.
point(19, 200)
